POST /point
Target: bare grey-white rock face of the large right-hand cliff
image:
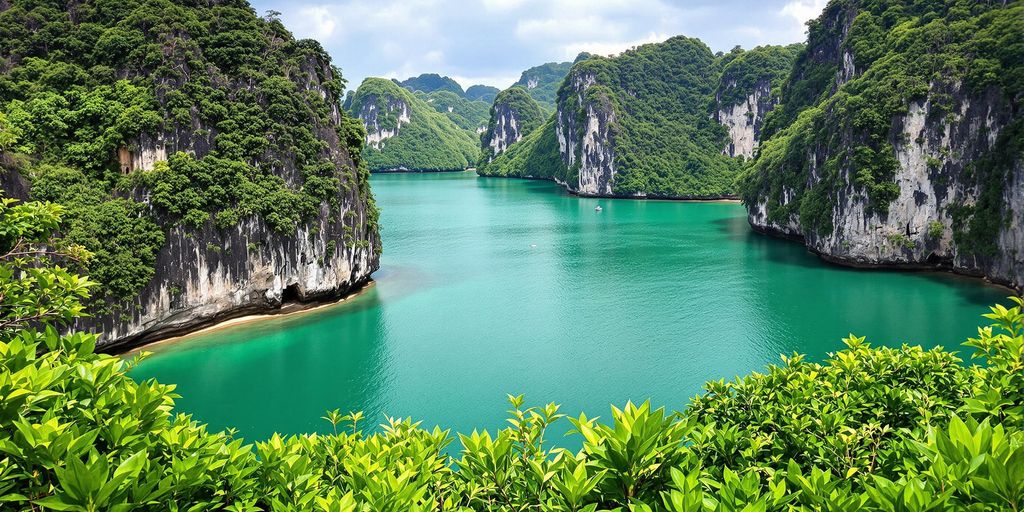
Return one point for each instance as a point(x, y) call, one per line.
point(935, 181)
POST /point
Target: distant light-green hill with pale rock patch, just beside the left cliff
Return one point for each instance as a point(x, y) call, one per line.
point(405, 133)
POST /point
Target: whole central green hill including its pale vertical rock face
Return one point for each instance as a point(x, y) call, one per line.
point(652, 106)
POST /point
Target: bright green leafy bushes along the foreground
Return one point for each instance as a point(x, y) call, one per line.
point(871, 430)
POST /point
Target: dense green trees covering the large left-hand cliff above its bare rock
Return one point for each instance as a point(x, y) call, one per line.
point(237, 95)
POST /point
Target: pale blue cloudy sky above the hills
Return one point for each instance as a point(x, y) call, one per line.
point(493, 41)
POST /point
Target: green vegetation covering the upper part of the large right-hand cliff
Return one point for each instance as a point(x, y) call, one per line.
point(866, 62)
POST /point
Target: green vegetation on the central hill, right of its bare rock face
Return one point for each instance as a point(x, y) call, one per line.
point(665, 142)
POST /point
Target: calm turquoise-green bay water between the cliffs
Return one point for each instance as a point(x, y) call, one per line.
point(491, 287)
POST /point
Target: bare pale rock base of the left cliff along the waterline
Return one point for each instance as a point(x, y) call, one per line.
point(215, 275)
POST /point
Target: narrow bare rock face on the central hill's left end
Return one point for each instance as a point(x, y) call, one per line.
point(586, 143)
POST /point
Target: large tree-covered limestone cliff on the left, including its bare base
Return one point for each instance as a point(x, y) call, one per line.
point(218, 181)
